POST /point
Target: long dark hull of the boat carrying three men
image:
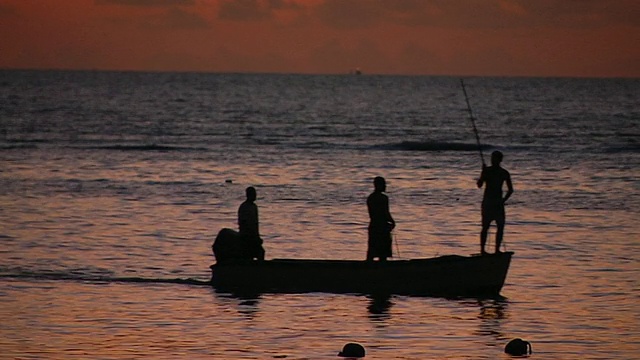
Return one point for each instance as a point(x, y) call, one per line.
point(450, 275)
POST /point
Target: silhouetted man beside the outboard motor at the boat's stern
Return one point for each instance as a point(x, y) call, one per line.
point(248, 224)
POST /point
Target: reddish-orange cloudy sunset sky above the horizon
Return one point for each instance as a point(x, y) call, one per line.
point(576, 38)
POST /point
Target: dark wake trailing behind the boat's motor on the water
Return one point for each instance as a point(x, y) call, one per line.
point(79, 276)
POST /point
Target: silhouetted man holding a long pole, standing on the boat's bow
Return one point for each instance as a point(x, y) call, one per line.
point(494, 177)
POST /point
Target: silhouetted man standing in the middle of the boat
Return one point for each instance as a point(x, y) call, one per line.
point(380, 222)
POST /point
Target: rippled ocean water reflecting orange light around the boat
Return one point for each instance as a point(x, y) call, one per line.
point(113, 186)
